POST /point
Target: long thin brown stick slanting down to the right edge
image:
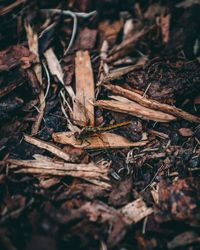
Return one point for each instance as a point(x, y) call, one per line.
point(149, 103)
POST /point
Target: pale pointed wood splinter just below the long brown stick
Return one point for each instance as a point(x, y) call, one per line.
point(132, 108)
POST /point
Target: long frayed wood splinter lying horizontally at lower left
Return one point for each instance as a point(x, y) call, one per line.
point(47, 166)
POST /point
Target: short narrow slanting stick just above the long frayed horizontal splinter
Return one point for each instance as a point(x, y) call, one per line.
point(50, 148)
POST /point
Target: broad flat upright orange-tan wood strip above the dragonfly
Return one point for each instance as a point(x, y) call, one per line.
point(83, 110)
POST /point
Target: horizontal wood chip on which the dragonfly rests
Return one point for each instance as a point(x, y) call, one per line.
point(103, 140)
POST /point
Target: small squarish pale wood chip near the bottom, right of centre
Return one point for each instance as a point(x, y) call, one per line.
point(135, 211)
